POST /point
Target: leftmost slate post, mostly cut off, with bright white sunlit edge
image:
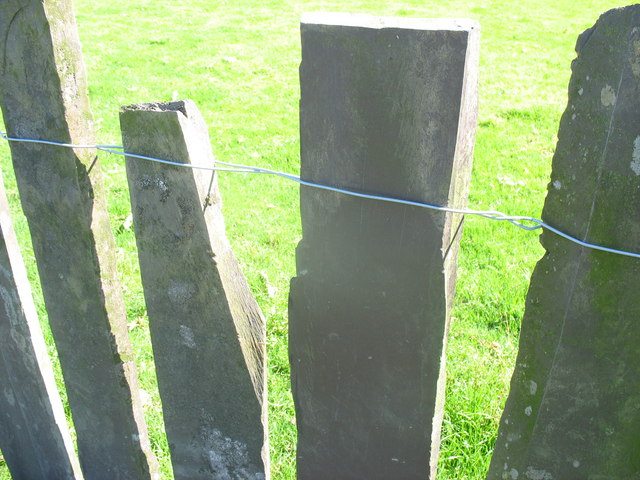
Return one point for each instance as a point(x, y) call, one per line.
point(34, 436)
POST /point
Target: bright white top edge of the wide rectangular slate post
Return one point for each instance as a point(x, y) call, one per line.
point(362, 20)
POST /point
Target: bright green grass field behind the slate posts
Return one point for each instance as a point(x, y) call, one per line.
point(238, 61)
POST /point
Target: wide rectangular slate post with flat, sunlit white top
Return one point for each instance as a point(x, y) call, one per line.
point(388, 107)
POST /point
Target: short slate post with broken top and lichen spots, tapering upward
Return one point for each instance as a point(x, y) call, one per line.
point(207, 330)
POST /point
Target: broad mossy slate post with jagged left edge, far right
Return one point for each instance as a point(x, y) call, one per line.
point(574, 407)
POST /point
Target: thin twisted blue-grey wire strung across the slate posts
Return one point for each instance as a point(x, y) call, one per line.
point(517, 220)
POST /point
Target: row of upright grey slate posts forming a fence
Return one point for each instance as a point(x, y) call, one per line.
point(387, 106)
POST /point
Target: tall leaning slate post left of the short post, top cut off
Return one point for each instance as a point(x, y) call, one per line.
point(43, 95)
